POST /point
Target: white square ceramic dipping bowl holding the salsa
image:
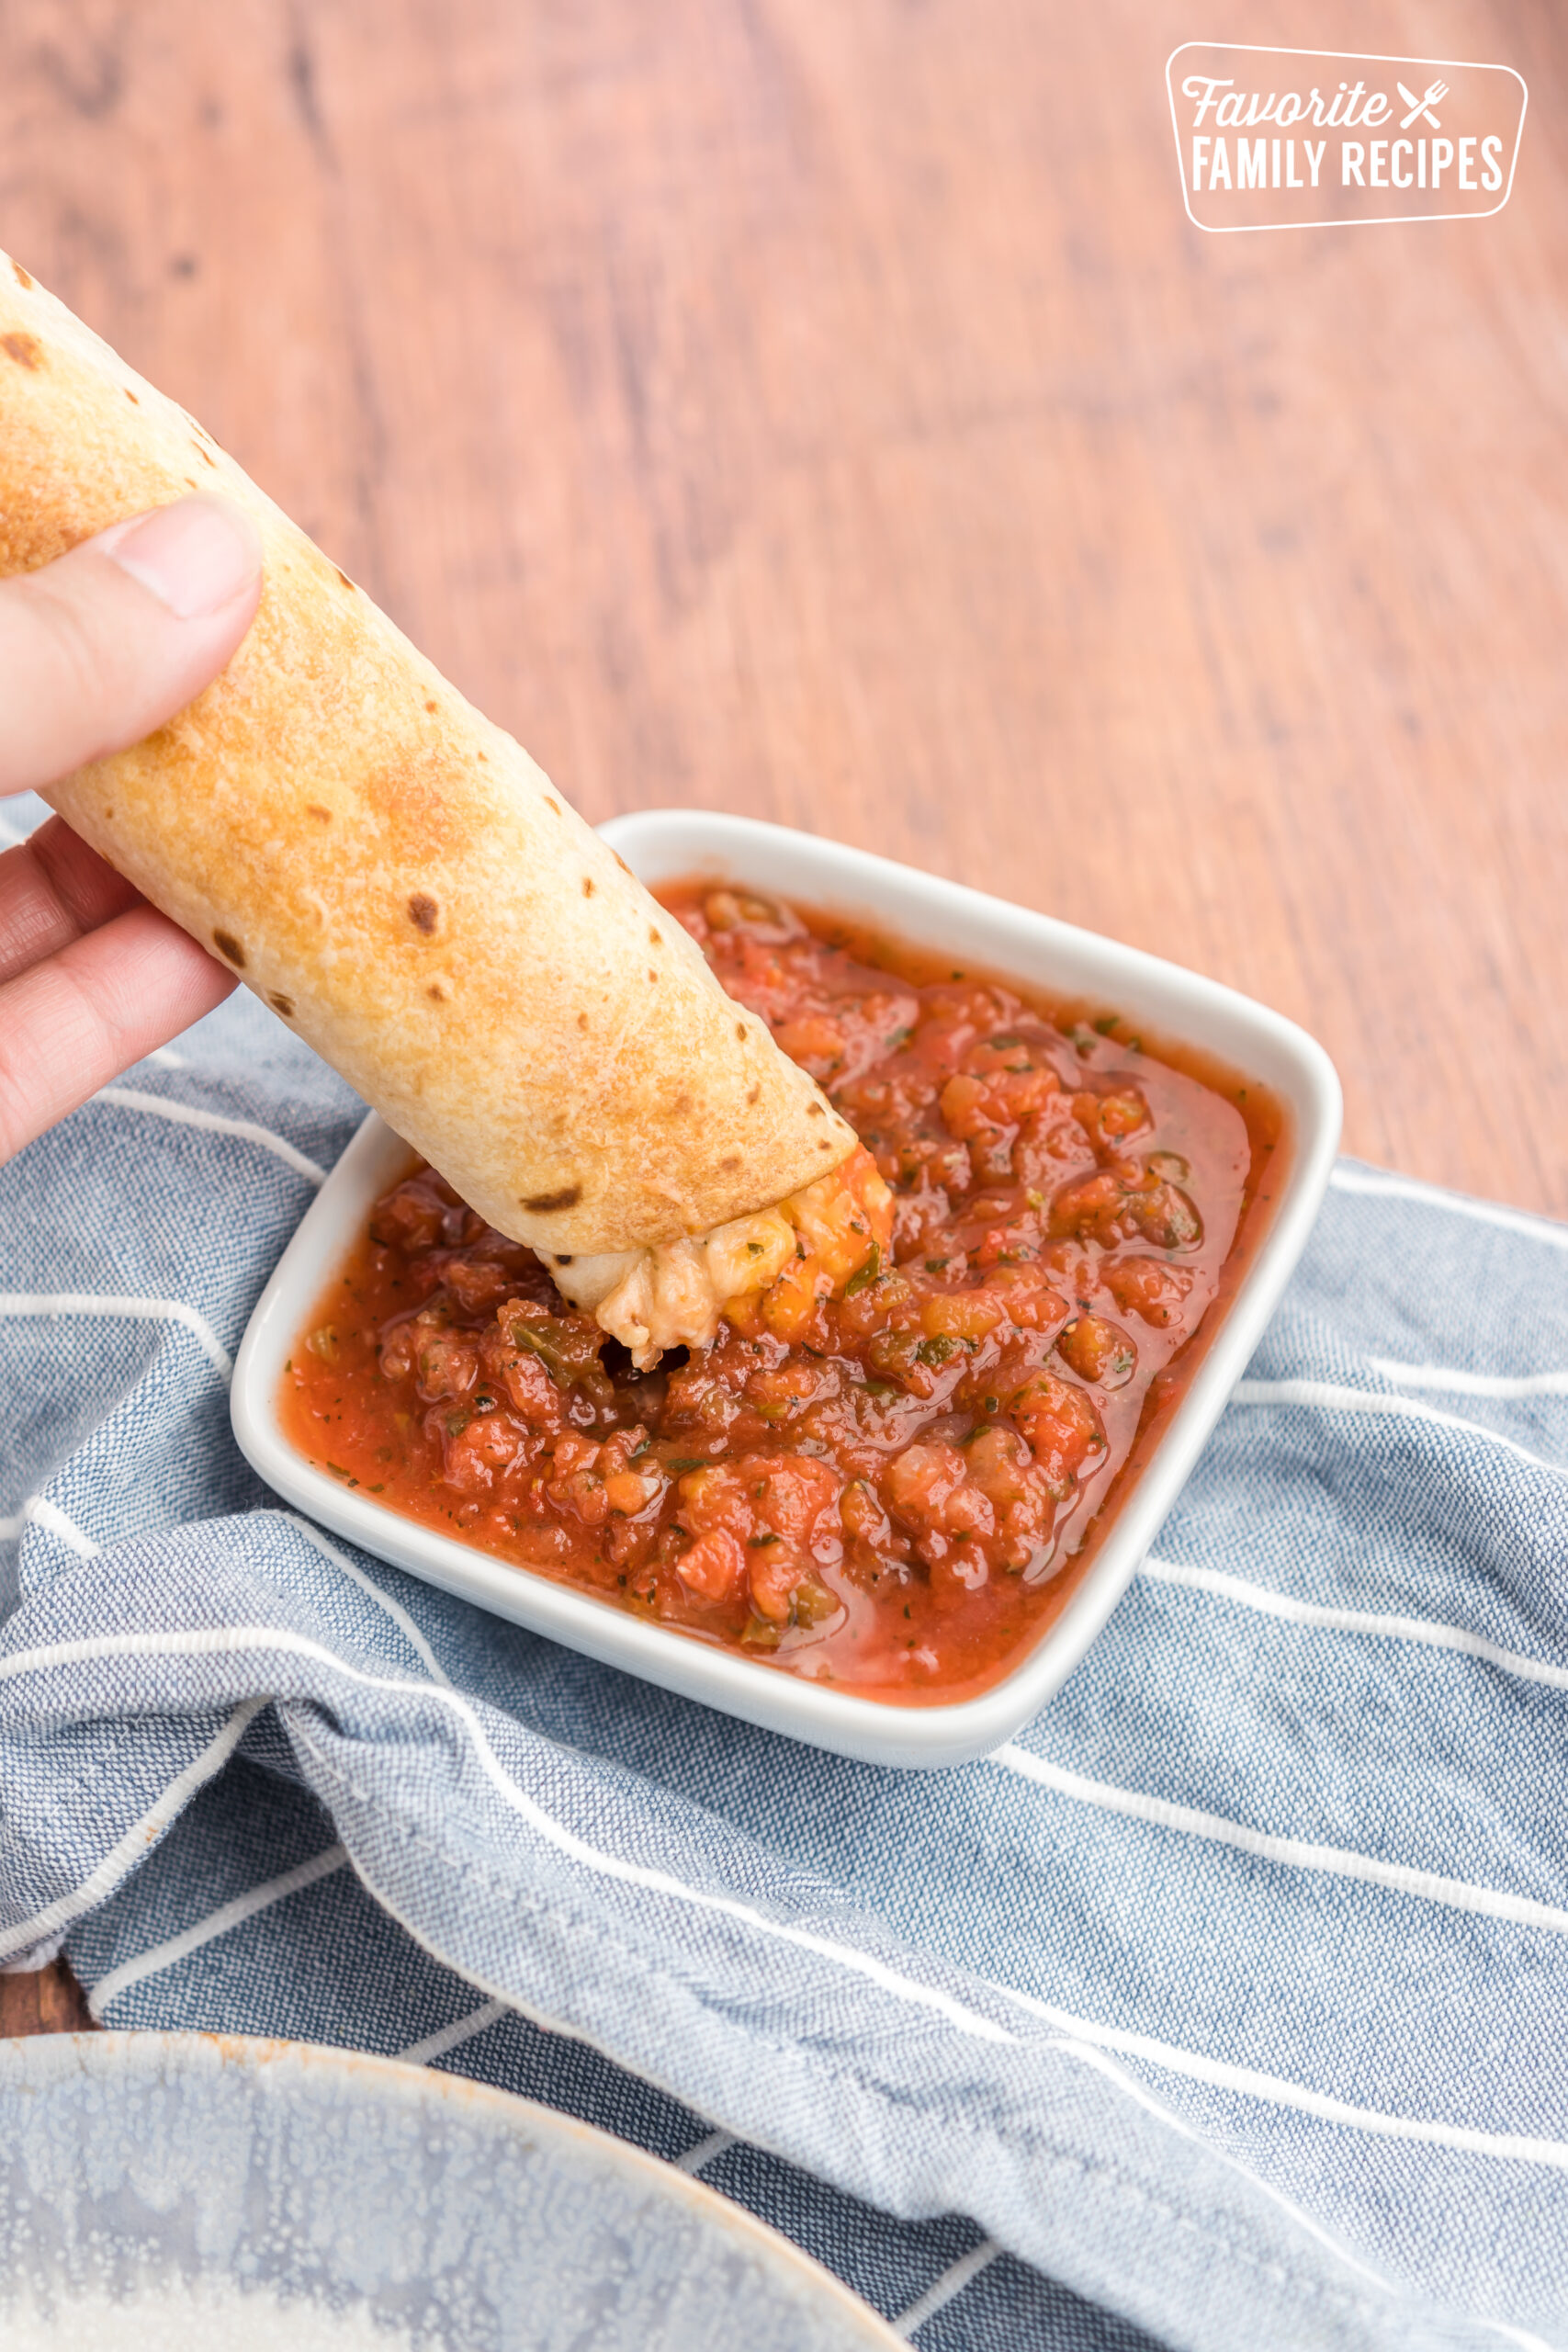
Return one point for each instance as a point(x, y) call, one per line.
point(993, 937)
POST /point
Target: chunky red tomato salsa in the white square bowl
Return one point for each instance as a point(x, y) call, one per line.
point(890, 1464)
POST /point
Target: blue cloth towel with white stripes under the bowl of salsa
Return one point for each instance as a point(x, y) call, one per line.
point(1228, 2007)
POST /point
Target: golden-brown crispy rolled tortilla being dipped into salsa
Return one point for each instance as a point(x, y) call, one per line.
point(398, 881)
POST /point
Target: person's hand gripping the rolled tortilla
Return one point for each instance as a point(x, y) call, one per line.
point(95, 653)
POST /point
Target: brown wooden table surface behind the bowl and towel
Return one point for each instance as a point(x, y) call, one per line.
point(829, 413)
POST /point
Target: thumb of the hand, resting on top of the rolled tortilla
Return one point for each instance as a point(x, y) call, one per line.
point(112, 641)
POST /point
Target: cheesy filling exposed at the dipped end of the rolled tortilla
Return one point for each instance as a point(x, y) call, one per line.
point(765, 1271)
